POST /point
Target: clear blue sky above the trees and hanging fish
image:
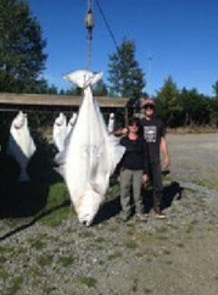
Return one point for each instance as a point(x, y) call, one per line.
point(176, 38)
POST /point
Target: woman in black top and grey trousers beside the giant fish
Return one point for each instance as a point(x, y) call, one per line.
point(134, 170)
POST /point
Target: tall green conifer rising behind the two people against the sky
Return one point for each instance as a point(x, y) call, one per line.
point(125, 76)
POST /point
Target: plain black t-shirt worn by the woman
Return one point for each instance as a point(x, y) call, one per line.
point(136, 154)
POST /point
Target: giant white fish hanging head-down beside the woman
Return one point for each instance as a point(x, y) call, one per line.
point(91, 155)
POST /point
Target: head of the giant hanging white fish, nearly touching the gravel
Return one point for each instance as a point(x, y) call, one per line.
point(89, 206)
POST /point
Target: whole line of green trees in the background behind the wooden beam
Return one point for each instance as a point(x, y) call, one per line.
point(23, 59)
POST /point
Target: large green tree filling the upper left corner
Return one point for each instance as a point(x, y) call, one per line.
point(21, 49)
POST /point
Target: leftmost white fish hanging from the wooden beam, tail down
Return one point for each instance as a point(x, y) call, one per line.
point(20, 144)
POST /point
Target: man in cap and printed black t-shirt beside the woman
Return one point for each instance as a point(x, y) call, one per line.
point(154, 133)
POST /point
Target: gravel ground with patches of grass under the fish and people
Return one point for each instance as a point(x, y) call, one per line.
point(178, 255)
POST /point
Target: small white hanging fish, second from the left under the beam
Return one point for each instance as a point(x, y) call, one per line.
point(60, 132)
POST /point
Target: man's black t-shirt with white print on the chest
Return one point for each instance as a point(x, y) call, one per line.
point(153, 130)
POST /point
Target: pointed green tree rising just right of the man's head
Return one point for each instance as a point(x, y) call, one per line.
point(168, 107)
